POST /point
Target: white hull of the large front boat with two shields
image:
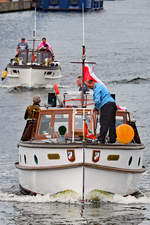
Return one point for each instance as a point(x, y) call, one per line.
point(83, 175)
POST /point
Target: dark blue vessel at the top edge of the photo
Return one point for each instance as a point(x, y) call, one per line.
point(69, 5)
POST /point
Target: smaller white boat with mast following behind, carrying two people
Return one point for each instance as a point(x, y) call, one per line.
point(32, 68)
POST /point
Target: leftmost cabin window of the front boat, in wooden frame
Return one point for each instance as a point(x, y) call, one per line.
point(44, 124)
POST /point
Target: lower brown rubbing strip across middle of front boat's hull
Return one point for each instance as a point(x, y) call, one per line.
point(89, 165)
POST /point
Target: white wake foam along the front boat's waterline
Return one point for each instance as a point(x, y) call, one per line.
point(71, 197)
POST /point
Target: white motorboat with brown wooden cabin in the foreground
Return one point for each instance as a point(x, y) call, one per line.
point(60, 155)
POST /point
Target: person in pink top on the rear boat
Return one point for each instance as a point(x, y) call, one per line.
point(45, 46)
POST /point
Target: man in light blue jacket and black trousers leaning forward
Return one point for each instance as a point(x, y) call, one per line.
point(107, 107)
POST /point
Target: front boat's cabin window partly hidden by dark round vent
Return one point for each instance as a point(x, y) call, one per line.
point(60, 120)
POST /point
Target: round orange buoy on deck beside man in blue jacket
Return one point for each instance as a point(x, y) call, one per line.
point(125, 133)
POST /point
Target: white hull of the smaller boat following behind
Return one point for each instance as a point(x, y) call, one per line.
point(32, 76)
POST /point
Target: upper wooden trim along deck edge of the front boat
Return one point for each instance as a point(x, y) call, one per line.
point(93, 146)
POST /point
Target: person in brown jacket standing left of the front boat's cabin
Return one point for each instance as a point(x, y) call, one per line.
point(32, 110)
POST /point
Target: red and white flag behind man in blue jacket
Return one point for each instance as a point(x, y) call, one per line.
point(89, 74)
